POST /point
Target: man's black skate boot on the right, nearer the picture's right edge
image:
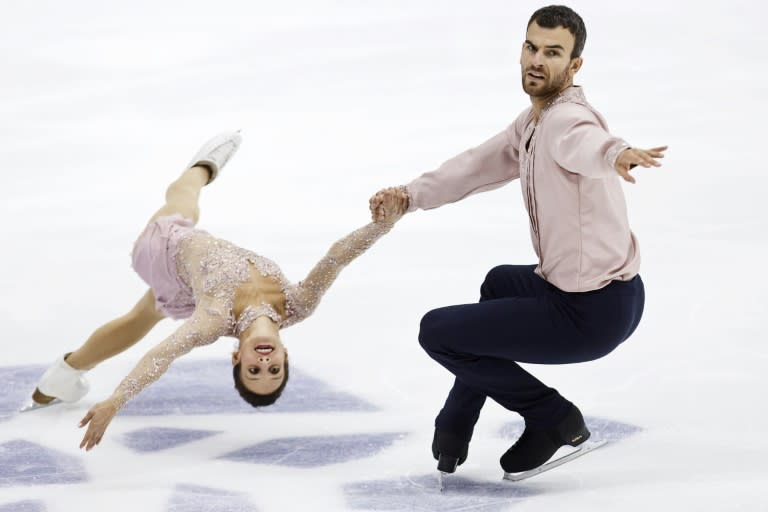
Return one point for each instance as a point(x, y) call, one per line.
point(534, 448)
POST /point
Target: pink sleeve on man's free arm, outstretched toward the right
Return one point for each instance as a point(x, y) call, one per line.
point(581, 143)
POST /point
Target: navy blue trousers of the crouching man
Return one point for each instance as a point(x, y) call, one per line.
point(521, 318)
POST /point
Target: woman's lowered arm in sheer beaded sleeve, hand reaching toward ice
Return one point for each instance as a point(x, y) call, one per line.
point(202, 328)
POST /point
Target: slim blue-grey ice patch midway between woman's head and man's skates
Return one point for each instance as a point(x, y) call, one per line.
point(314, 451)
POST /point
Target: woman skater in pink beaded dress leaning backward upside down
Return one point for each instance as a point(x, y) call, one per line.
point(217, 287)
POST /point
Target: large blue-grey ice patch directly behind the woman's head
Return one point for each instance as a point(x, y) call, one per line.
point(206, 387)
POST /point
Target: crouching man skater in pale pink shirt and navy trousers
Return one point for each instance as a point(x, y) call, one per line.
point(582, 299)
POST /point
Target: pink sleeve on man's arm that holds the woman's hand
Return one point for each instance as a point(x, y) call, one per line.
point(488, 166)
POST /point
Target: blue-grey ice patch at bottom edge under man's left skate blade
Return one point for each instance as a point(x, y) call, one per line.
point(422, 494)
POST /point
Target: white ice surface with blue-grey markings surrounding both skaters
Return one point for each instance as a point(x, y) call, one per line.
point(103, 103)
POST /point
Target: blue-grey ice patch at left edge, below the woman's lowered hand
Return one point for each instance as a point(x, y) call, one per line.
point(25, 463)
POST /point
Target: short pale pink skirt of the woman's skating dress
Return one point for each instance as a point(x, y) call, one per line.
point(154, 259)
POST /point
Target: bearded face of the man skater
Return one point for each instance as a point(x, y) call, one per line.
point(545, 62)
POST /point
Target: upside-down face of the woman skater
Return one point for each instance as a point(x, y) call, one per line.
point(262, 363)
